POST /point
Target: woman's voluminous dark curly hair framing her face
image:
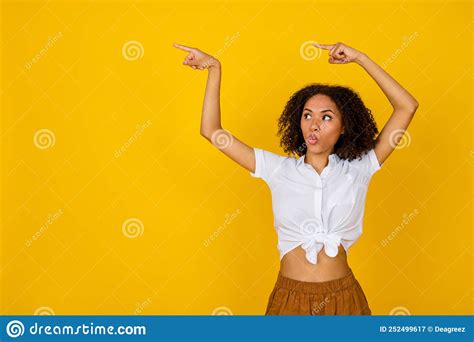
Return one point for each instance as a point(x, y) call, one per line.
point(360, 128)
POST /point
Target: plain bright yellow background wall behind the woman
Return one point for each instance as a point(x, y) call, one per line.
point(183, 190)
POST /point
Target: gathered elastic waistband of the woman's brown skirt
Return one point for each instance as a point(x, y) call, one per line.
point(316, 287)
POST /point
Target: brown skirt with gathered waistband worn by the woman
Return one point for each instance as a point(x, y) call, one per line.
point(342, 296)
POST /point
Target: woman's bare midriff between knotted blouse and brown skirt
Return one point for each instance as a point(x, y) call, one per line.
point(295, 265)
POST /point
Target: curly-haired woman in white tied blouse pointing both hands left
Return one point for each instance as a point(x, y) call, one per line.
point(318, 199)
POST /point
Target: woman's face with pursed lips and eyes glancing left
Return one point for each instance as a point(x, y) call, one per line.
point(321, 124)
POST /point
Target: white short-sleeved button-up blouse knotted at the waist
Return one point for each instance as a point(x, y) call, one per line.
point(316, 210)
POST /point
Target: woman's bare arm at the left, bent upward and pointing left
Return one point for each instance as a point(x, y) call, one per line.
point(211, 127)
